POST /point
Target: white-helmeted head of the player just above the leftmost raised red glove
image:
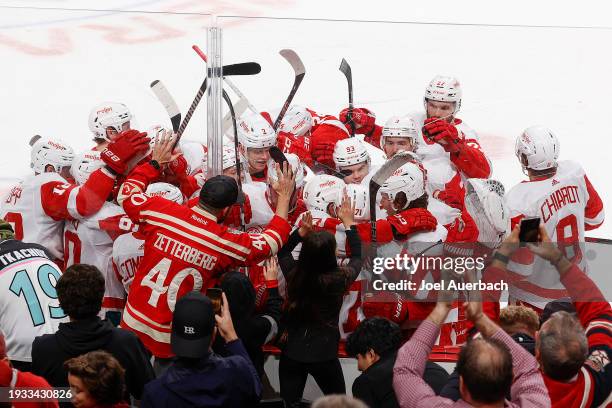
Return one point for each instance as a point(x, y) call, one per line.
point(106, 121)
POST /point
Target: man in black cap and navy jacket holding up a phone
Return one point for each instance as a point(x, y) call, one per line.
point(197, 376)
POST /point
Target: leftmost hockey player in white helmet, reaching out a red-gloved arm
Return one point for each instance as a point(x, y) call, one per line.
point(38, 206)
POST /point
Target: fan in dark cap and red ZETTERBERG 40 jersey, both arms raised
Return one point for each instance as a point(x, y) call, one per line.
point(186, 248)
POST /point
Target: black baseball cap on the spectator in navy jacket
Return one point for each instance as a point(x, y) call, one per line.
point(193, 323)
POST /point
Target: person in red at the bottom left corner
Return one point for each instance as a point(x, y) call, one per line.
point(11, 377)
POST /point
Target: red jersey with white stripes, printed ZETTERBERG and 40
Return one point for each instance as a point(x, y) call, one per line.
point(185, 250)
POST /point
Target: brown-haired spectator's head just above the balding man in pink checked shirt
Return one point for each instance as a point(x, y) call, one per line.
point(521, 323)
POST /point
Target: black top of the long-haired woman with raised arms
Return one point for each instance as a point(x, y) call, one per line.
point(312, 335)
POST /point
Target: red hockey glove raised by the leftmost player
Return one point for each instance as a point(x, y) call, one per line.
point(121, 151)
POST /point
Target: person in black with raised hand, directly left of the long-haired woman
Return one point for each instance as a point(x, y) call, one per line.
point(254, 330)
